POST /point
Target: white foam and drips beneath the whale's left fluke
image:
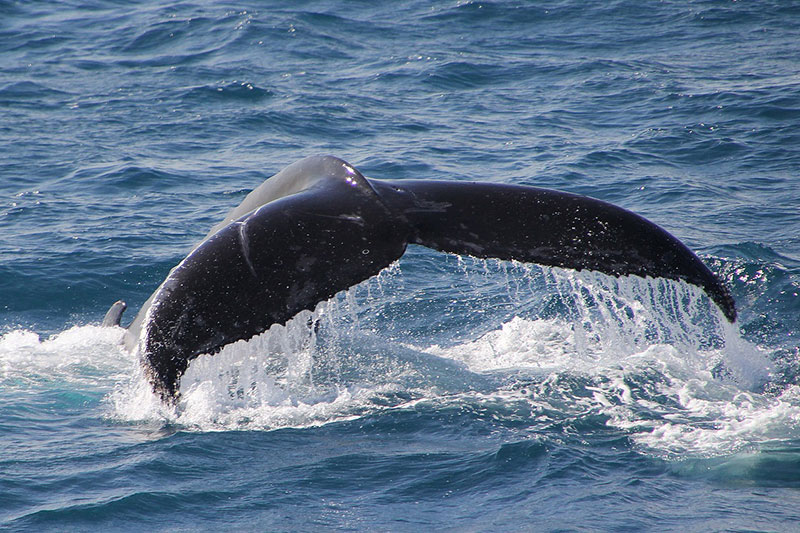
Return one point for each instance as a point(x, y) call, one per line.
point(277, 379)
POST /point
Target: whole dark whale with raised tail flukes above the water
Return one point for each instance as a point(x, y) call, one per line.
point(319, 226)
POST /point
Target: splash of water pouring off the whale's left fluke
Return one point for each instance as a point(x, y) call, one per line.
point(305, 373)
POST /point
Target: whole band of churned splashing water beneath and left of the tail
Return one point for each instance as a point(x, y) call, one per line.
point(653, 359)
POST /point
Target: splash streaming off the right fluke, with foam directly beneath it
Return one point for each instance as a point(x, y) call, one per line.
point(605, 322)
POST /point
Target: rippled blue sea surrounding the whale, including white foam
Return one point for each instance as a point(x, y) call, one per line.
point(447, 393)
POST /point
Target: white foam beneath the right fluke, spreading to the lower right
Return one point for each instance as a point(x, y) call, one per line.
point(679, 383)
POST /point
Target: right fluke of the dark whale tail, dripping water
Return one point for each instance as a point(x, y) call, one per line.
point(552, 228)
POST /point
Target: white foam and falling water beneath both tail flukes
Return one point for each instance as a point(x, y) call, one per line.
point(659, 362)
